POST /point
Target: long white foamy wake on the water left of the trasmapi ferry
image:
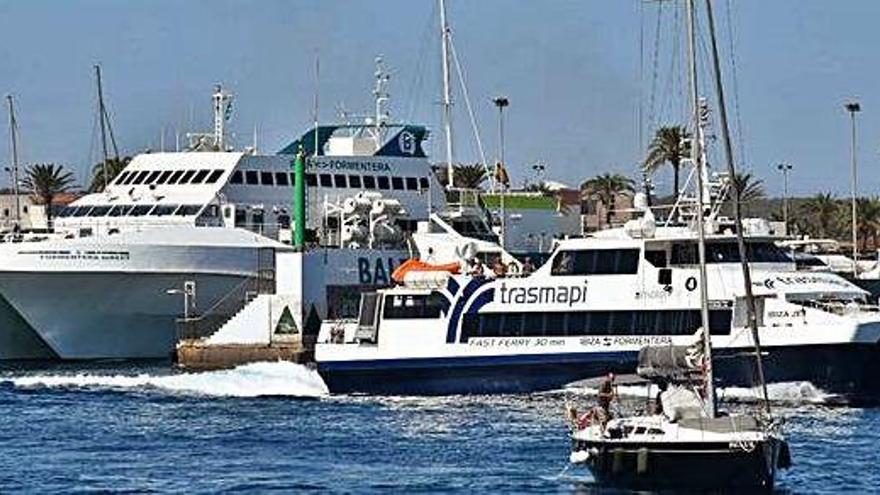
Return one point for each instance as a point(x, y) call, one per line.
point(249, 380)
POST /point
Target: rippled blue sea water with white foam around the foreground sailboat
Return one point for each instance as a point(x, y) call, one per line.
point(273, 426)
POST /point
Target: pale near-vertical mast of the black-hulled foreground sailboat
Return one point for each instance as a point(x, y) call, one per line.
point(698, 159)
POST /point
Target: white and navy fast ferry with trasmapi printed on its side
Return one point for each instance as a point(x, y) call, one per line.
point(591, 308)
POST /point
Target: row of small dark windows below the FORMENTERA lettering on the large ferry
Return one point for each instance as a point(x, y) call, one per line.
point(341, 181)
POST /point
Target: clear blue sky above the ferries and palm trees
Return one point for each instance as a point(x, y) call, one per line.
point(582, 77)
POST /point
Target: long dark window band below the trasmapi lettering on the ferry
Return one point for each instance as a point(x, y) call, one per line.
point(591, 323)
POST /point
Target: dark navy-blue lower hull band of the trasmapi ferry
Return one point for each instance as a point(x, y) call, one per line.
point(849, 370)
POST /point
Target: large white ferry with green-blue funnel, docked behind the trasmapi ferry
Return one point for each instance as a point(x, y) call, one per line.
point(196, 234)
